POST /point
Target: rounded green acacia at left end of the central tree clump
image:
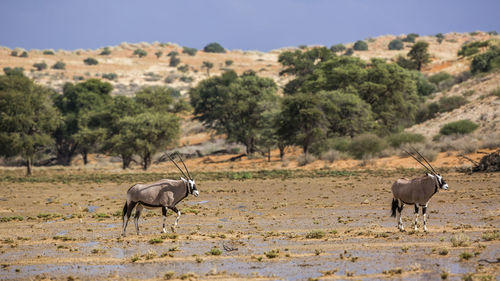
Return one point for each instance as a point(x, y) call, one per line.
point(234, 105)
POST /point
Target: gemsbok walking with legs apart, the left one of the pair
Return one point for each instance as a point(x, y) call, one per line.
point(162, 194)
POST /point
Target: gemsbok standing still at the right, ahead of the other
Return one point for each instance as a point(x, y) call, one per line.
point(416, 192)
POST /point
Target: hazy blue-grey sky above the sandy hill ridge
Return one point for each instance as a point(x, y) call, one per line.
point(235, 24)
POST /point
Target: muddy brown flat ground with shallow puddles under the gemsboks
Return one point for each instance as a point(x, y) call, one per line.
point(325, 228)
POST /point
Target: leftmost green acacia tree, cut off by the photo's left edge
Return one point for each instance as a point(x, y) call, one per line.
point(27, 118)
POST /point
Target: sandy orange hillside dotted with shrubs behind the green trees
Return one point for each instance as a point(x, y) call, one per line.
point(133, 72)
